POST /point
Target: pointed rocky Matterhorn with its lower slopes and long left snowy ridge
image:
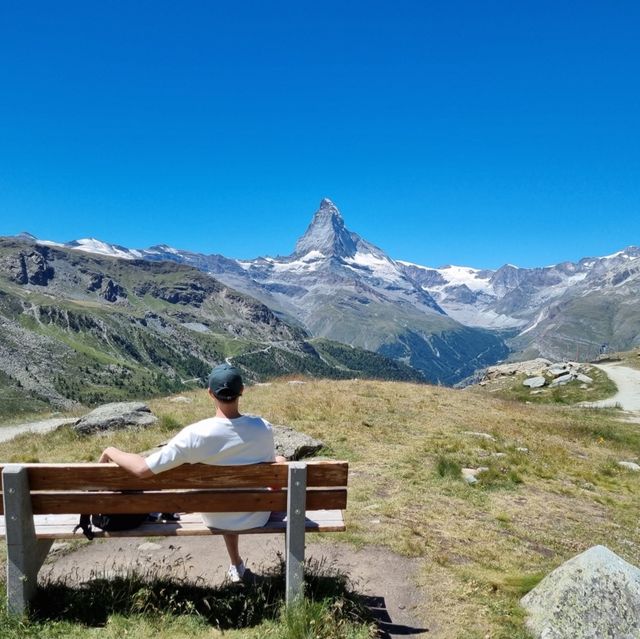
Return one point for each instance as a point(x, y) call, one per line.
point(338, 286)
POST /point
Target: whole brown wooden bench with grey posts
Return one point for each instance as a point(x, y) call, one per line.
point(42, 502)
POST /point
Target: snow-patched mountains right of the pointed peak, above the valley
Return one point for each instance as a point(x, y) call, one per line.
point(562, 311)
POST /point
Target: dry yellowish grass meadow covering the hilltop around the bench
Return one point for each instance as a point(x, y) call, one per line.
point(480, 547)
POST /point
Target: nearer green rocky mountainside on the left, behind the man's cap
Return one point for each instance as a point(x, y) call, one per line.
point(82, 327)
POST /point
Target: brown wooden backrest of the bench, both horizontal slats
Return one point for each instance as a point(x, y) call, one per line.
point(71, 488)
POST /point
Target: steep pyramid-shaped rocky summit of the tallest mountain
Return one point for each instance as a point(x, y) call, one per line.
point(327, 234)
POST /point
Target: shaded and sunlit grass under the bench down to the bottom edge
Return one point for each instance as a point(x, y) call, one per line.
point(155, 600)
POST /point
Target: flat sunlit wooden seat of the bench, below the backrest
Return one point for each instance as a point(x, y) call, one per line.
point(190, 524)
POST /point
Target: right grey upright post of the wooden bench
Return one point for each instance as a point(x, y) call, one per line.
point(296, 506)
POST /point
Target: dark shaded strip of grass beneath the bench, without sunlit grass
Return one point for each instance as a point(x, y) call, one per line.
point(259, 598)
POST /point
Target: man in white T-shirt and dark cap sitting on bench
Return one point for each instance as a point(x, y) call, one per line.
point(226, 439)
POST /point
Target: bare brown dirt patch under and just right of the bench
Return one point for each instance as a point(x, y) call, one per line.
point(388, 581)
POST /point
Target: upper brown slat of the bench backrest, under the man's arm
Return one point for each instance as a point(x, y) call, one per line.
point(93, 476)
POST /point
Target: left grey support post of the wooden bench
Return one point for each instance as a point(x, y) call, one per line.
point(25, 553)
